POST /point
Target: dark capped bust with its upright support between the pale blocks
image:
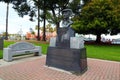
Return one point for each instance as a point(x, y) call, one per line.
point(65, 31)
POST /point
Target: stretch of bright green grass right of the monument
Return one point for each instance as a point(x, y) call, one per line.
point(106, 52)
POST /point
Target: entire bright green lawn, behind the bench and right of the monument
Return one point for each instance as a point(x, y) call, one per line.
point(106, 52)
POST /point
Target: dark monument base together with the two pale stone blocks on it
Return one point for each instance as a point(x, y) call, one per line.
point(72, 58)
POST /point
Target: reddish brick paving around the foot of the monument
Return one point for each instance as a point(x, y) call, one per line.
point(36, 70)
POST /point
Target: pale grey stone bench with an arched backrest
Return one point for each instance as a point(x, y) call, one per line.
point(20, 48)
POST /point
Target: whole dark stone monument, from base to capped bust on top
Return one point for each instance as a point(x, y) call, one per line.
point(67, 51)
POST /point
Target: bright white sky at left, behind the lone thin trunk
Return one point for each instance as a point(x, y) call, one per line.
point(15, 23)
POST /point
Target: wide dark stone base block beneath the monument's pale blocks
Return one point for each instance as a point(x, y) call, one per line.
point(73, 60)
